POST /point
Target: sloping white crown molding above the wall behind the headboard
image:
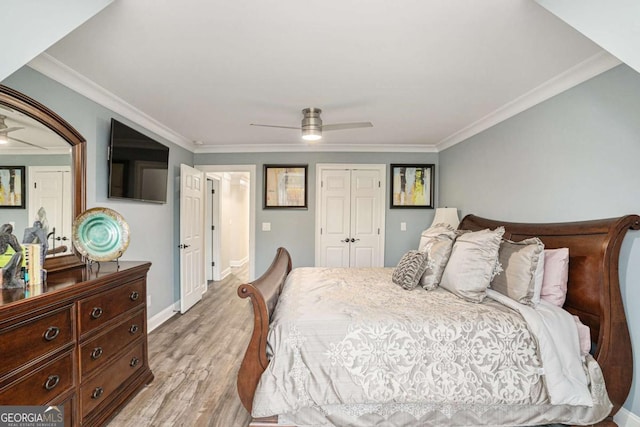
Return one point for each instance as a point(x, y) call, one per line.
point(585, 70)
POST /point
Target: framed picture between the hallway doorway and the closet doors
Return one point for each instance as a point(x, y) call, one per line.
point(285, 186)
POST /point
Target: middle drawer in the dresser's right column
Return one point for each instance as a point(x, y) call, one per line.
point(101, 349)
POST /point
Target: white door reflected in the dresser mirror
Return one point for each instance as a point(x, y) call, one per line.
point(50, 188)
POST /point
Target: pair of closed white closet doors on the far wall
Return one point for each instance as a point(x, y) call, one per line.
point(351, 206)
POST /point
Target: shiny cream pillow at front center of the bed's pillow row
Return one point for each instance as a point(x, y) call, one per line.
point(471, 264)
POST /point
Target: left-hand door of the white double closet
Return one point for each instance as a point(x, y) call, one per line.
point(335, 218)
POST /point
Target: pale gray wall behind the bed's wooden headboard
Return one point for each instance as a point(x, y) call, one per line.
point(573, 157)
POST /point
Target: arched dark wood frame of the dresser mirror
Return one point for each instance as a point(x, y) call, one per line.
point(32, 108)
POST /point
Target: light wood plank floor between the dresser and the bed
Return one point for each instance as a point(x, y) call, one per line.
point(195, 359)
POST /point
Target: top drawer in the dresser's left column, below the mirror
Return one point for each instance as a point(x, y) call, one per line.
point(35, 337)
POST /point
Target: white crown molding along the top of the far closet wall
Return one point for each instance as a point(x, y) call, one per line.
point(317, 147)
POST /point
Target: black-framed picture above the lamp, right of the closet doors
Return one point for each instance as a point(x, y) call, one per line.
point(412, 186)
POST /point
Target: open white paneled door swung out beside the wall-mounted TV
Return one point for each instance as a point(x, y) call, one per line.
point(192, 277)
